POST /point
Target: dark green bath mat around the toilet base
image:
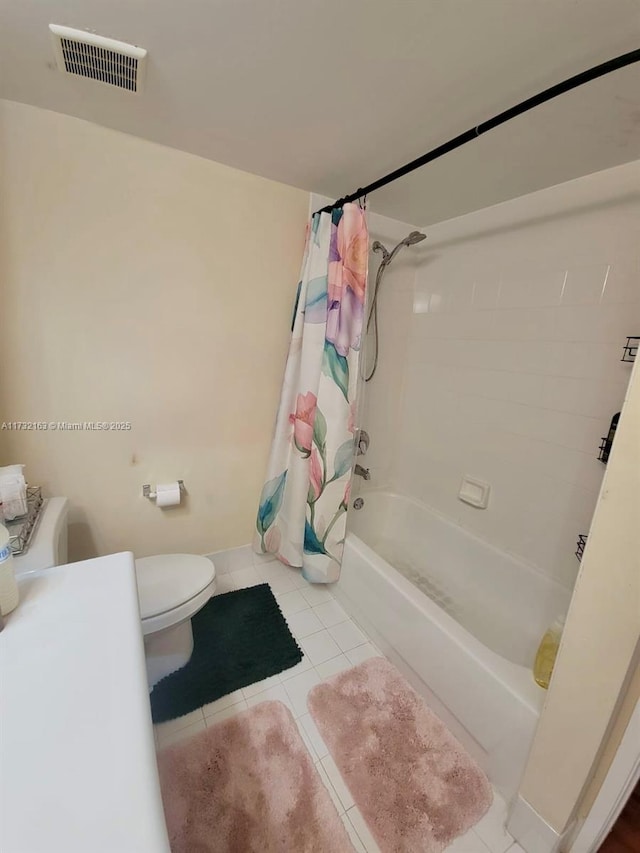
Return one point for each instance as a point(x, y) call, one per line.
point(238, 638)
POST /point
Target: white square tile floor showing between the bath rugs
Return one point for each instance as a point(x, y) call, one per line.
point(331, 642)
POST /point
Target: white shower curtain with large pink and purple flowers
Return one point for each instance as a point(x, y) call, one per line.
point(302, 513)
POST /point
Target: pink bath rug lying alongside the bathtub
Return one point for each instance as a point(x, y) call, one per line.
point(416, 786)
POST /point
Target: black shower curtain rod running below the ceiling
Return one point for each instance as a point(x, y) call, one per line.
point(523, 107)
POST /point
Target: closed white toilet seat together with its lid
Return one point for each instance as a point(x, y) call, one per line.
point(172, 588)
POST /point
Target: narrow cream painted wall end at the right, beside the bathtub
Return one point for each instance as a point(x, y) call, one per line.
point(597, 657)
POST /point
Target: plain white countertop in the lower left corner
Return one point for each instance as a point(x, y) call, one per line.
point(77, 761)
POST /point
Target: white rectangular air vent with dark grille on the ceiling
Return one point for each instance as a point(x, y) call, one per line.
point(88, 55)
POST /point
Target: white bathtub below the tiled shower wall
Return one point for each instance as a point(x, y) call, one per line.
point(460, 618)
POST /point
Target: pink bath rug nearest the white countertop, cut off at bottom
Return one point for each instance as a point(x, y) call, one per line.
point(248, 785)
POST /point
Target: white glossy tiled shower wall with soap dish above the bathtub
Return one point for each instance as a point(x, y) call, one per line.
point(510, 336)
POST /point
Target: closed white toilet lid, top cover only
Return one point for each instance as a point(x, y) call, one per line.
point(168, 580)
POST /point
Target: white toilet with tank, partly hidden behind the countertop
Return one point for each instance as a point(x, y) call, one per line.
point(171, 589)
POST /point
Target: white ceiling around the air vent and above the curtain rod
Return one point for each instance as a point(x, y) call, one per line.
point(329, 95)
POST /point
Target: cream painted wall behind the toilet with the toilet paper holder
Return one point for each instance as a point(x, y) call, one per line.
point(147, 285)
